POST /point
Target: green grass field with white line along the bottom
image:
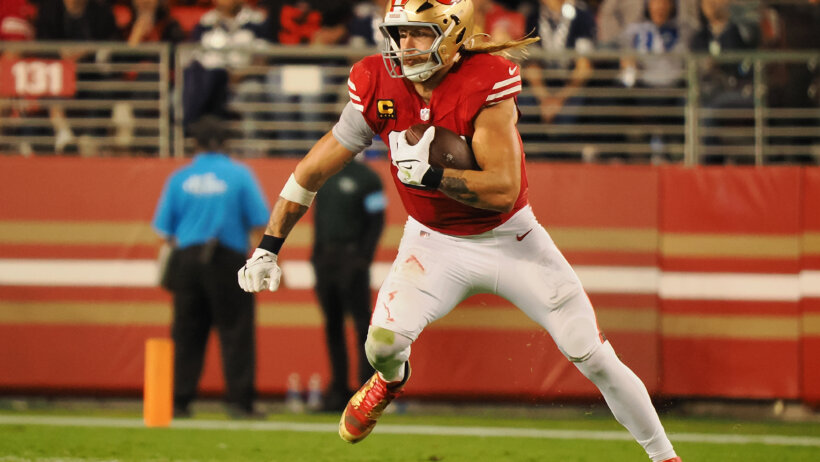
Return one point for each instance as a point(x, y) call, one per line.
point(86, 434)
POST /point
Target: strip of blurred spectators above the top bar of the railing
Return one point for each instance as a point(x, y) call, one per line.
point(605, 23)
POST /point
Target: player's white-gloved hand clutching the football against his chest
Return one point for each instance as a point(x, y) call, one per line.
point(412, 160)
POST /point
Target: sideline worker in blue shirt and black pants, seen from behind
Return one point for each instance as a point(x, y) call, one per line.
point(207, 211)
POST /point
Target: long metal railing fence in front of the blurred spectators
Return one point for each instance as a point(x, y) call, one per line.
point(750, 108)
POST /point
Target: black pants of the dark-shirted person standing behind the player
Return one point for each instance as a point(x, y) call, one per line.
point(344, 289)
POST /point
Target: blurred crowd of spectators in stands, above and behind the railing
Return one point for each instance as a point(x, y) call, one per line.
point(641, 27)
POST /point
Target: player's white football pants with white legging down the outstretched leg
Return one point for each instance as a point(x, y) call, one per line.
point(518, 260)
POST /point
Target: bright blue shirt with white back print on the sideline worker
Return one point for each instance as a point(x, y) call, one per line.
point(212, 197)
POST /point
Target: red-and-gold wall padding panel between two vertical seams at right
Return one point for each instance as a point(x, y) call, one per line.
point(716, 203)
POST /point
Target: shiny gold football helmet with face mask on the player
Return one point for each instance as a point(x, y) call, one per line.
point(450, 20)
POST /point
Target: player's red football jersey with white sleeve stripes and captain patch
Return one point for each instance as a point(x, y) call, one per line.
point(392, 105)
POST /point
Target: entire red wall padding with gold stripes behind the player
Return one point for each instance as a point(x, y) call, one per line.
point(594, 213)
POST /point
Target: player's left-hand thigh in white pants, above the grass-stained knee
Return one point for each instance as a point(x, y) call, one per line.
point(424, 284)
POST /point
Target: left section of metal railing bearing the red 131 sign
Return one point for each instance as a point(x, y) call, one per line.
point(92, 98)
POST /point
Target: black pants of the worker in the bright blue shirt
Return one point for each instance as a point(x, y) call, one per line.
point(207, 295)
